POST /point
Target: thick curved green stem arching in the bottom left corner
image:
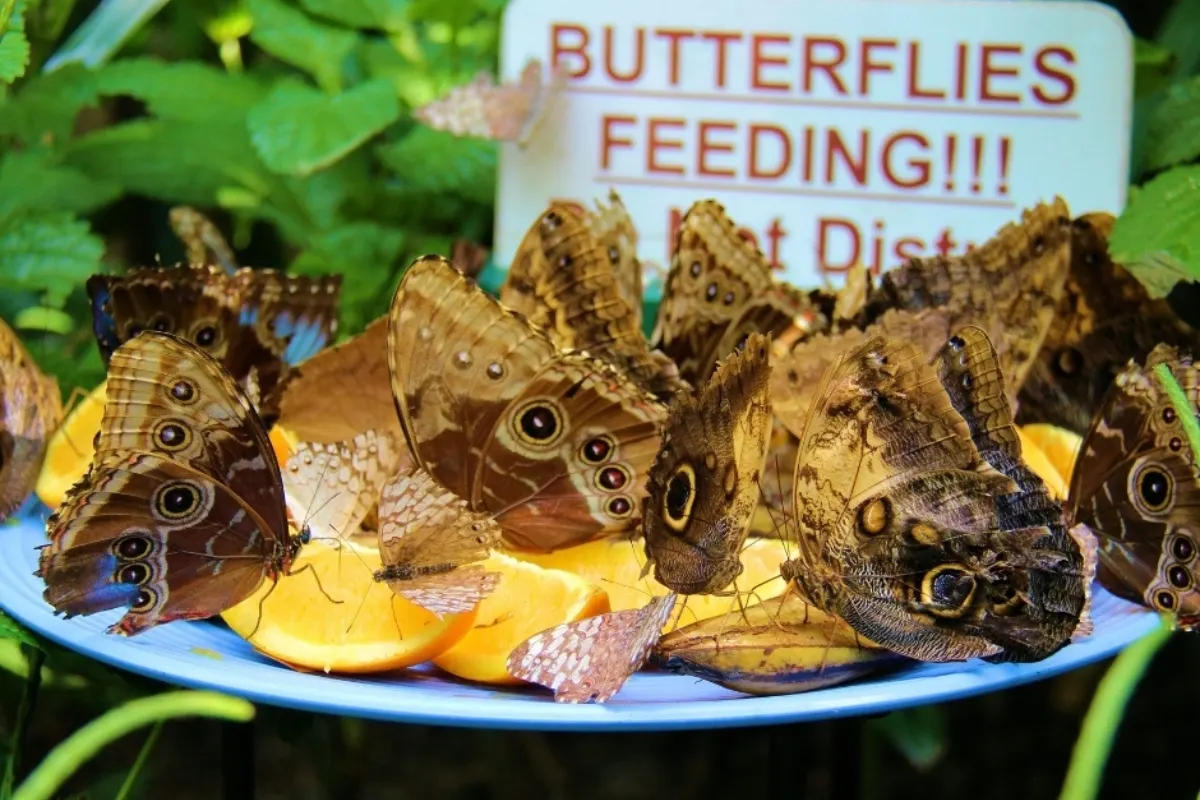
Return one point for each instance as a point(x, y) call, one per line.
point(87, 742)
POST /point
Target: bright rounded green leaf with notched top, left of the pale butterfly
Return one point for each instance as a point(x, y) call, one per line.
point(298, 130)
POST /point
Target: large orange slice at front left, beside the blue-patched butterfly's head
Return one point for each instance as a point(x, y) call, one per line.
point(370, 630)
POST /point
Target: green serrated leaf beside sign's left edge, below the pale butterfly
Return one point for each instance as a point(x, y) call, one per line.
point(436, 161)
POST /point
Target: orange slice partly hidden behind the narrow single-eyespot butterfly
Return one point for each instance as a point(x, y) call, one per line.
point(616, 567)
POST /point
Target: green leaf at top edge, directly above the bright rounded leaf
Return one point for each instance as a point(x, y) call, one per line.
point(292, 37)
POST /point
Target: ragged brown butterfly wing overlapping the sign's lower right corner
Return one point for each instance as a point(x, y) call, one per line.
point(1010, 286)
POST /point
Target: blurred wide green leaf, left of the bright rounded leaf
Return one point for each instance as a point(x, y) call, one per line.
point(182, 91)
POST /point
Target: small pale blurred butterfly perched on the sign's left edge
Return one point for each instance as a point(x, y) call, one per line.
point(506, 113)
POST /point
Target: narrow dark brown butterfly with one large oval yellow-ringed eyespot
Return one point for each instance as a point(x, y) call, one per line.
point(704, 486)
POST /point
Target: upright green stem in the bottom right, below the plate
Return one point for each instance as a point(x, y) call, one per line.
point(1103, 719)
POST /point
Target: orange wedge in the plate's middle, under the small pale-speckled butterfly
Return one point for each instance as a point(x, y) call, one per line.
point(530, 600)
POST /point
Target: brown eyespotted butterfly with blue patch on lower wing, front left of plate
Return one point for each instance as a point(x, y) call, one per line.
point(182, 514)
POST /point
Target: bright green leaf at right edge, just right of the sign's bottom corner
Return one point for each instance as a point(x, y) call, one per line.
point(1157, 237)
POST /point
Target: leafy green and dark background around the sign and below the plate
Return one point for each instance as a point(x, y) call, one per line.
point(93, 160)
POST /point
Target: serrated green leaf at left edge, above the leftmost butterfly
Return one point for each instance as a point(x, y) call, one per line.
point(51, 252)
